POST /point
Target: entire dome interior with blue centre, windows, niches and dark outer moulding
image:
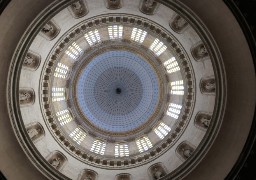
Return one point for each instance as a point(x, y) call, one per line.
point(131, 87)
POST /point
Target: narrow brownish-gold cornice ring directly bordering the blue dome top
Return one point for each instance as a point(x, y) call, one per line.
point(120, 46)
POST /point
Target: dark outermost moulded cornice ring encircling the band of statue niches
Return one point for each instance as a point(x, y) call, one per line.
point(28, 146)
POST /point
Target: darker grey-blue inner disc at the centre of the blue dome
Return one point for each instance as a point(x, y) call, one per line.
point(118, 91)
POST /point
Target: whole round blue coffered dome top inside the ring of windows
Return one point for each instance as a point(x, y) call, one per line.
point(117, 91)
